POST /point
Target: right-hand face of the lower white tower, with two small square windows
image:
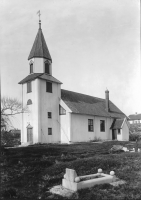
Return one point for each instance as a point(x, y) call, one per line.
point(49, 102)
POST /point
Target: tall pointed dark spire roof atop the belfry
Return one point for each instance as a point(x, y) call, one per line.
point(39, 48)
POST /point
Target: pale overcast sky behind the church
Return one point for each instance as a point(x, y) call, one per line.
point(94, 45)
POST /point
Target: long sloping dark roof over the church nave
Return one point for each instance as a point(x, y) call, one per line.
point(85, 104)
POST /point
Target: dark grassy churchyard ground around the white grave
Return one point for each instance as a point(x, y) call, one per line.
point(29, 172)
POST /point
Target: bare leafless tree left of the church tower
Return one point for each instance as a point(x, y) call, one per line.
point(9, 108)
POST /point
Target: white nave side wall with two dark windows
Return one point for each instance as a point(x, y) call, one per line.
point(79, 128)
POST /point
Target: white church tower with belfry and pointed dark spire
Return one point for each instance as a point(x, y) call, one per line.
point(41, 92)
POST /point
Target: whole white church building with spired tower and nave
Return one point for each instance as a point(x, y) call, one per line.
point(61, 116)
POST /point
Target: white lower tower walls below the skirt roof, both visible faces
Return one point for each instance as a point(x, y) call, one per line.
point(42, 103)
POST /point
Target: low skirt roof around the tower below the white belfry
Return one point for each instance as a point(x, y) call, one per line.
point(40, 76)
